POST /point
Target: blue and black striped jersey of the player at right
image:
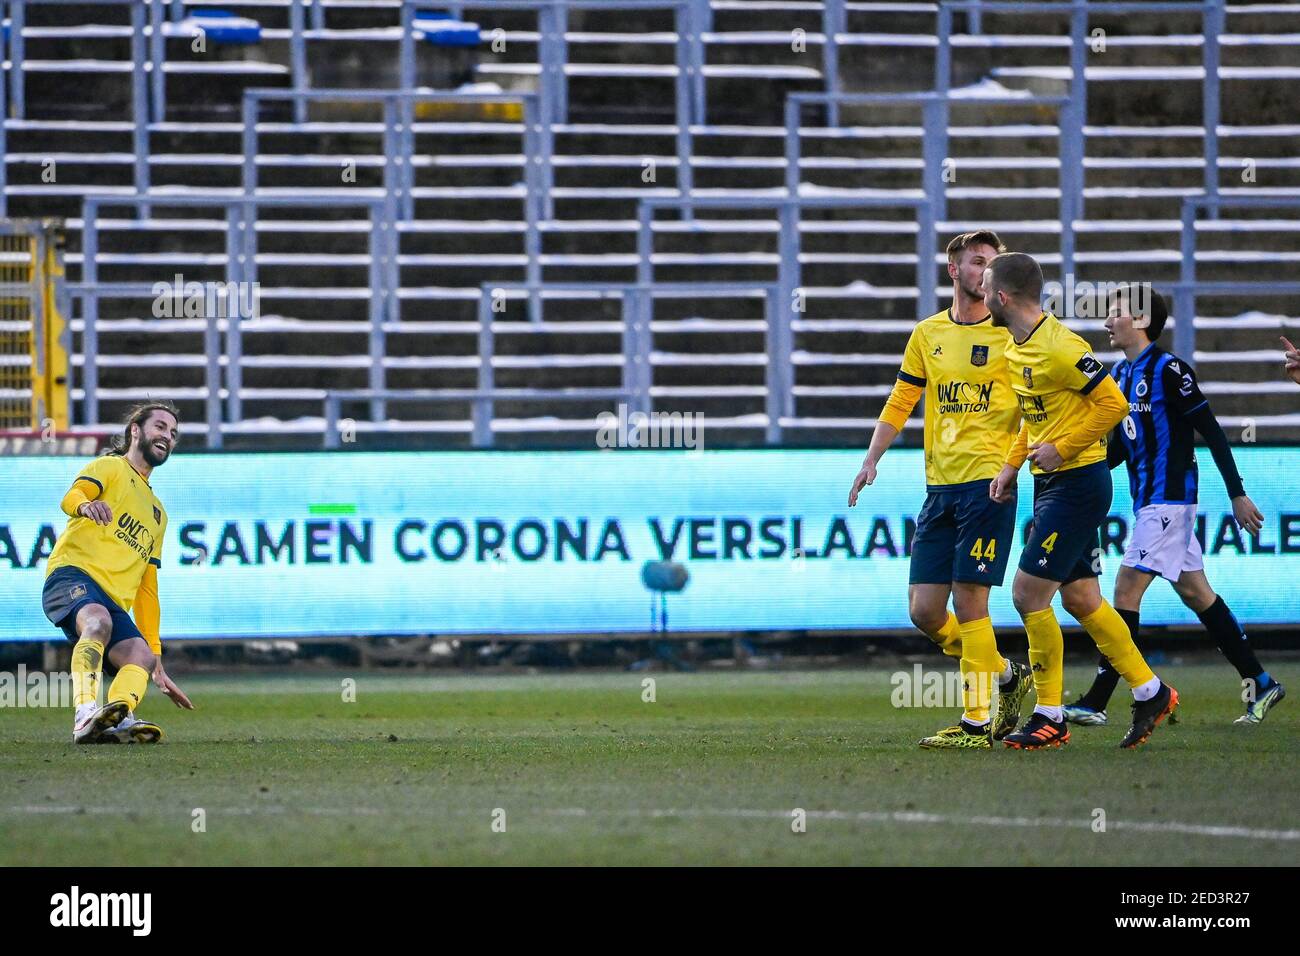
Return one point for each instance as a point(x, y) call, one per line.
point(1159, 436)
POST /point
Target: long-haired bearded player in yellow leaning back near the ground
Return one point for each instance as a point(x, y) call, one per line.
point(105, 564)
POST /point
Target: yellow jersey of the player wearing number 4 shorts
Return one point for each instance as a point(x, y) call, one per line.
point(1052, 374)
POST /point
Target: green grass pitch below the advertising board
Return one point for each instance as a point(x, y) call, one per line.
point(419, 769)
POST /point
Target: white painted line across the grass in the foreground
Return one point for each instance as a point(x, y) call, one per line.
point(850, 816)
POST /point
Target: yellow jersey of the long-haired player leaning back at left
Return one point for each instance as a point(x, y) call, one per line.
point(116, 555)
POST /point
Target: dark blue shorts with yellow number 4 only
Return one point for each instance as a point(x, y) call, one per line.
point(1069, 508)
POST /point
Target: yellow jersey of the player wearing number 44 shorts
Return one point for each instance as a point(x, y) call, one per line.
point(972, 417)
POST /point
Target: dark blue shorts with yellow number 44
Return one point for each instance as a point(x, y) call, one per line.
point(963, 535)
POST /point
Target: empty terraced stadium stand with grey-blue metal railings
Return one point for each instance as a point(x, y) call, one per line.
point(346, 129)
